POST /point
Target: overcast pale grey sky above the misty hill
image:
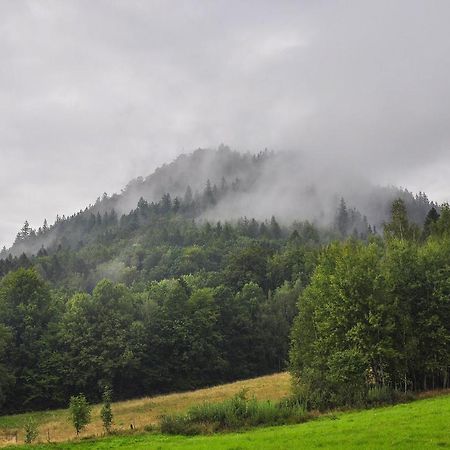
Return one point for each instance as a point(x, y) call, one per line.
point(94, 93)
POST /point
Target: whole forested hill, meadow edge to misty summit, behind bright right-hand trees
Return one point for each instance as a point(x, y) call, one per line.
point(168, 297)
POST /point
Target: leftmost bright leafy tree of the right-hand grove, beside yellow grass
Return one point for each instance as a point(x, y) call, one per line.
point(330, 334)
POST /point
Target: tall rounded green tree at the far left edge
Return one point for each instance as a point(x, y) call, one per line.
point(26, 316)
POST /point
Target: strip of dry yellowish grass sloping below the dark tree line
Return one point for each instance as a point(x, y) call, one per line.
point(146, 411)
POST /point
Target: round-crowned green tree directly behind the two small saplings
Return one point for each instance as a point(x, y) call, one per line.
point(97, 334)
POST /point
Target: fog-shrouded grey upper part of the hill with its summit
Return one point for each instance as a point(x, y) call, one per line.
point(224, 185)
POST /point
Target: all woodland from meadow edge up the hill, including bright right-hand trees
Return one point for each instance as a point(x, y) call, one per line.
point(163, 298)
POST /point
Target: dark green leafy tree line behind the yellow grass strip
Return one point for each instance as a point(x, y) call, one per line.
point(173, 334)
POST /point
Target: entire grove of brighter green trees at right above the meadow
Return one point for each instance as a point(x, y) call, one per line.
point(374, 320)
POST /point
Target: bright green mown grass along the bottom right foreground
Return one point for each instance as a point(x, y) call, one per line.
point(421, 424)
